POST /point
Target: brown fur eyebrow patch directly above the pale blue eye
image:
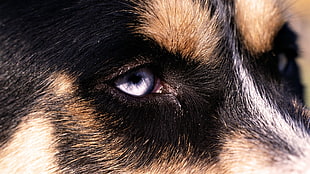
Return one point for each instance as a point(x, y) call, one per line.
point(180, 26)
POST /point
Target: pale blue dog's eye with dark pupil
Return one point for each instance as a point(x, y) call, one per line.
point(137, 83)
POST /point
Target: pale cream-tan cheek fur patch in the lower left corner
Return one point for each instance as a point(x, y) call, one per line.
point(31, 150)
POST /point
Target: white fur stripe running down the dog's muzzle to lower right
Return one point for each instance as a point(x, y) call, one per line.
point(265, 109)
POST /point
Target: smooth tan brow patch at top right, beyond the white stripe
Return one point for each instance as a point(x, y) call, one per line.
point(259, 21)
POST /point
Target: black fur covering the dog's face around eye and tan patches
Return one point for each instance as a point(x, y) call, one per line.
point(92, 41)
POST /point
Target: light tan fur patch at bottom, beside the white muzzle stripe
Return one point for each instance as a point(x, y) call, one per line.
point(242, 156)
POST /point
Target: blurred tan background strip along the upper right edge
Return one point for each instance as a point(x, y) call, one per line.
point(301, 22)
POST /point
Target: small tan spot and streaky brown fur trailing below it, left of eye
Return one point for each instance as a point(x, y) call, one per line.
point(80, 117)
